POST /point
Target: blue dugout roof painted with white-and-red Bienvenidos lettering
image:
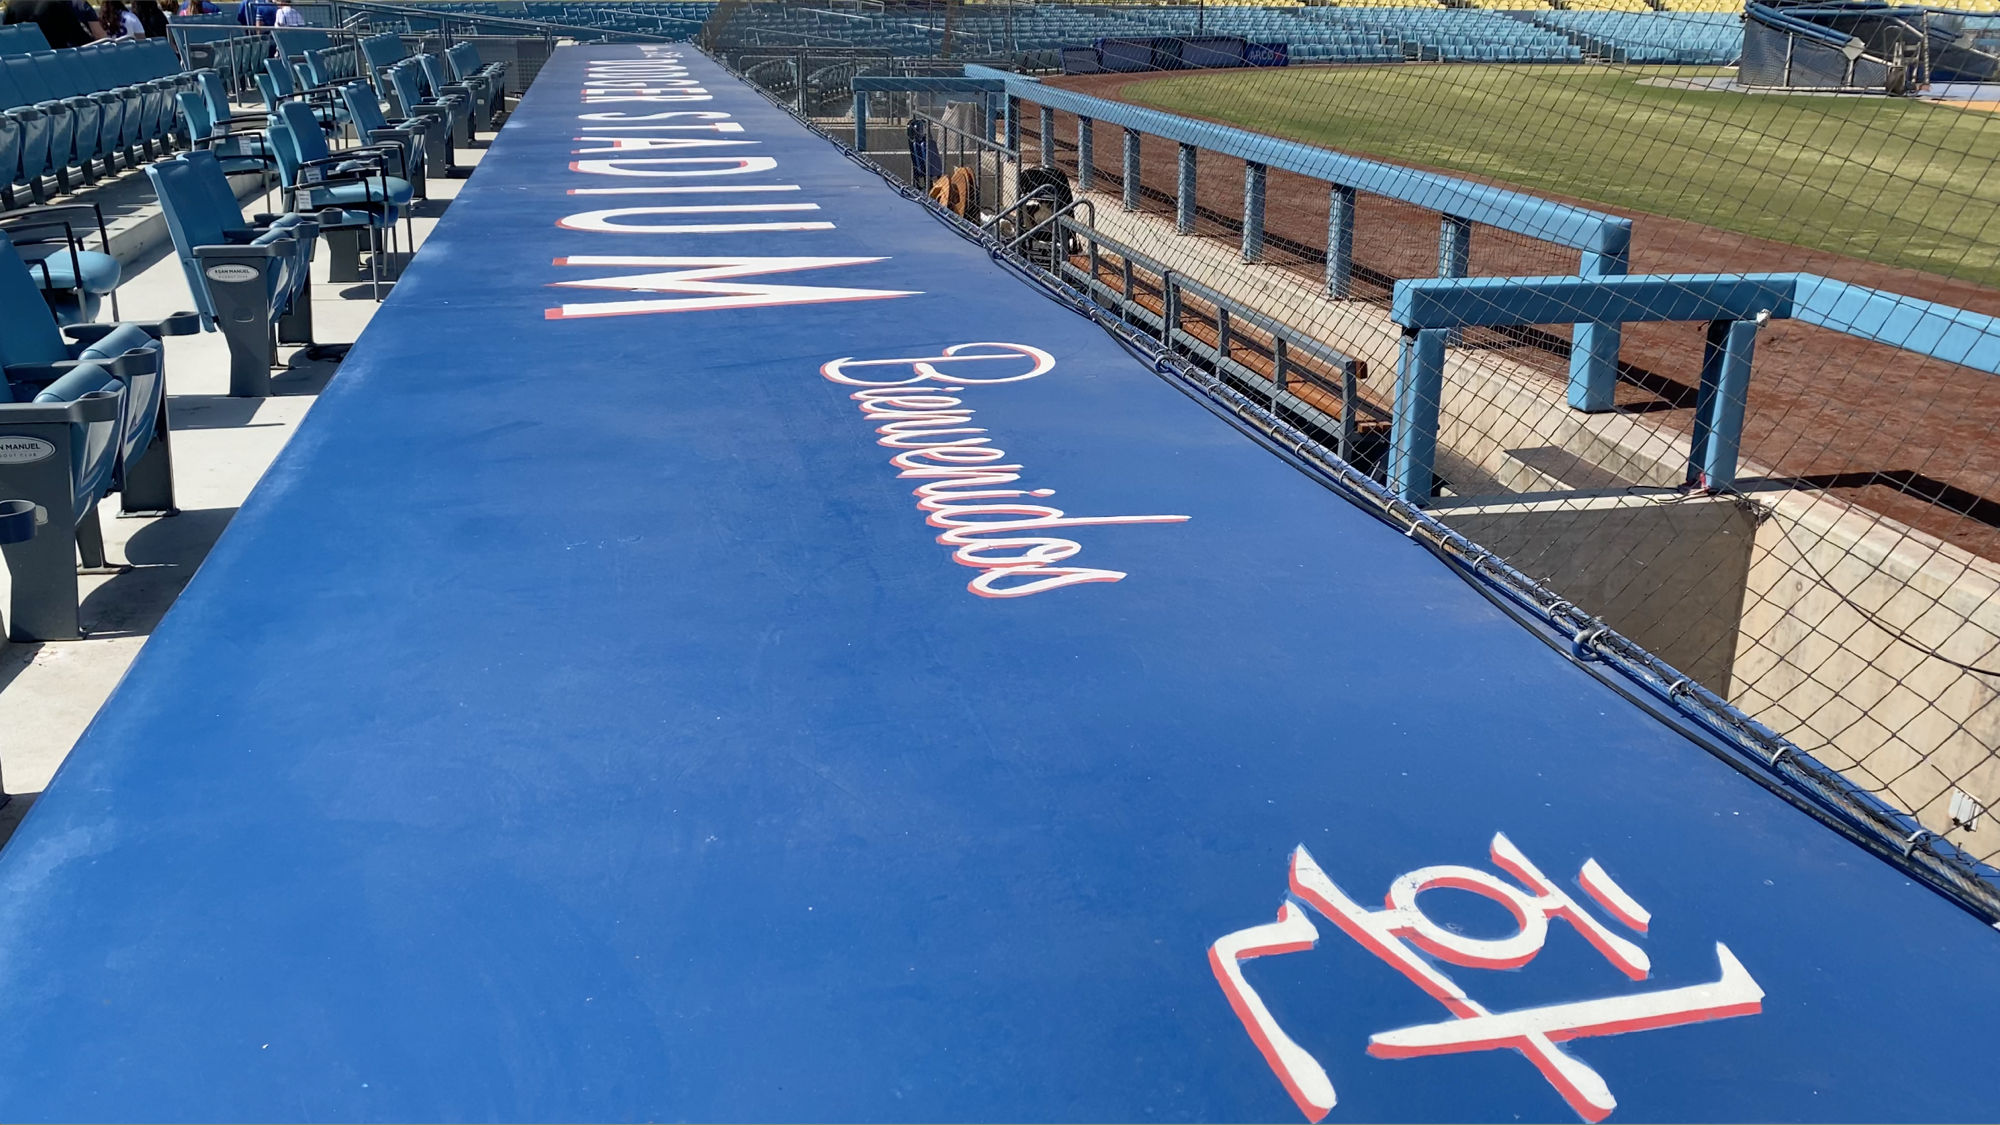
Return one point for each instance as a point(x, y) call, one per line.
point(585, 722)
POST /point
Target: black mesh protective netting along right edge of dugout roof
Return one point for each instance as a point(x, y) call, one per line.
point(1713, 363)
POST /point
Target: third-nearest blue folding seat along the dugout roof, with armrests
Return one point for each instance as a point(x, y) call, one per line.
point(351, 193)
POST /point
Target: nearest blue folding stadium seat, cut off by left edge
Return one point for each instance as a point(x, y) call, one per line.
point(95, 411)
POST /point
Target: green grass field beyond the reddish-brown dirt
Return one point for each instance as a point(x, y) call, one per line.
point(1883, 179)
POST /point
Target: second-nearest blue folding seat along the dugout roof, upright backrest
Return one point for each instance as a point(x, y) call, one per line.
point(249, 283)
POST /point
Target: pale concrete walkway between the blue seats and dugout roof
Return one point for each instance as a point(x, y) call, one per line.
point(223, 445)
